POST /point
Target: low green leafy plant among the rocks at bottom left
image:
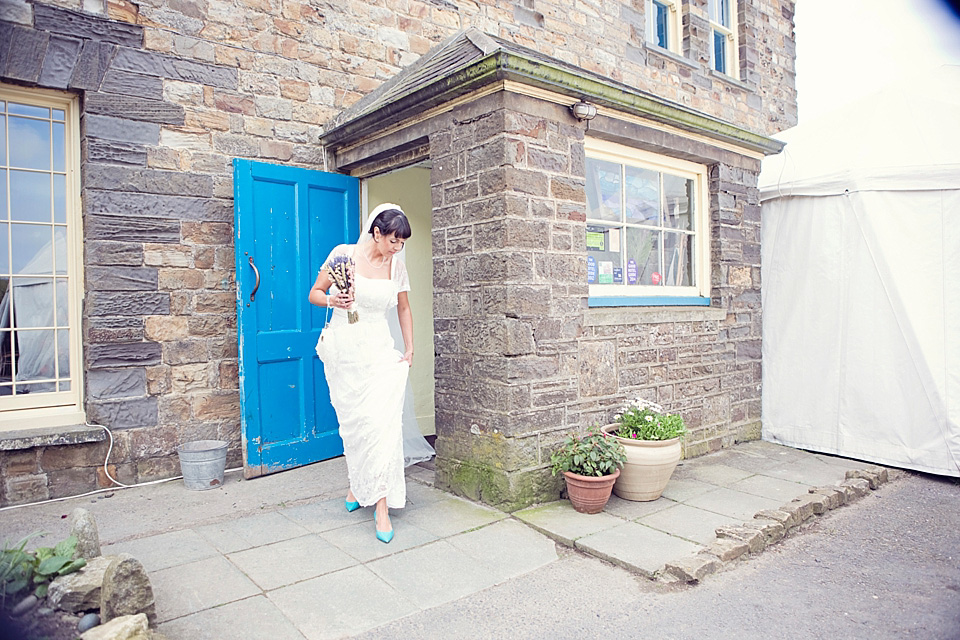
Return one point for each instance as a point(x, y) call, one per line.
point(21, 569)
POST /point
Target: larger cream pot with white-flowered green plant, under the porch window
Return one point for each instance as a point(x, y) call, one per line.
point(651, 439)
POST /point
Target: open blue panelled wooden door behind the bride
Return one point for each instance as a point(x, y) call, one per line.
point(287, 220)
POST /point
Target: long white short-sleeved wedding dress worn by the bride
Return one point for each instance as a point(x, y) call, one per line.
point(367, 379)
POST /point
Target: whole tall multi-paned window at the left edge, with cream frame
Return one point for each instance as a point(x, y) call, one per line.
point(39, 302)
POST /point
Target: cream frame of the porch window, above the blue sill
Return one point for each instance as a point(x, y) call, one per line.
point(654, 295)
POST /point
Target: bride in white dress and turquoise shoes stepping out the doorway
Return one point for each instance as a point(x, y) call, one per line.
point(366, 375)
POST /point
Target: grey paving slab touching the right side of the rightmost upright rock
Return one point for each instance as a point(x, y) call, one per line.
point(189, 588)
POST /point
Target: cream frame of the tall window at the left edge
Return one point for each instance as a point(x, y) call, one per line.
point(60, 408)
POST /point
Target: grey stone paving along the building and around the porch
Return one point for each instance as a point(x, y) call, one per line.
point(308, 569)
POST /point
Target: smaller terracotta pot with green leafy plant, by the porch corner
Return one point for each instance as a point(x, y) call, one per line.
point(590, 465)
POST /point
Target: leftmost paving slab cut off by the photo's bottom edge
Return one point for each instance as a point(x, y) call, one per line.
point(253, 618)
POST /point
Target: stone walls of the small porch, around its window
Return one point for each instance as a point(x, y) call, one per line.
point(521, 360)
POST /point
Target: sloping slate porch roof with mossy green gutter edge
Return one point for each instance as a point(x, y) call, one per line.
point(472, 59)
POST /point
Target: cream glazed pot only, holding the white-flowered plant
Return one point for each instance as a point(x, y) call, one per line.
point(650, 463)
